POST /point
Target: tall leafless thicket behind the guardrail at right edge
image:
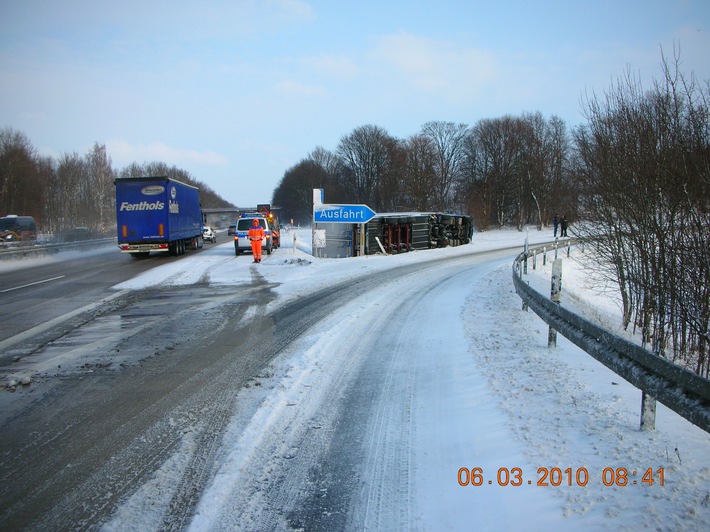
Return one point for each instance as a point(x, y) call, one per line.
point(644, 160)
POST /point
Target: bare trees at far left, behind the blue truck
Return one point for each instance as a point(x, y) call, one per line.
point(73, 190)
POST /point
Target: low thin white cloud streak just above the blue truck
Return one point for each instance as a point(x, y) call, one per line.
point(124, 152)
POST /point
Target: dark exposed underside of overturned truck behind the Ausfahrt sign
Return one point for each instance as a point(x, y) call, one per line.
point(402, 232)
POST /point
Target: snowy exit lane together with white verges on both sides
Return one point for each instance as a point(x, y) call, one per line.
point(426, 377)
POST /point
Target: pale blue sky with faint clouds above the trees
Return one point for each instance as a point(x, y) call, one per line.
point(238, 92)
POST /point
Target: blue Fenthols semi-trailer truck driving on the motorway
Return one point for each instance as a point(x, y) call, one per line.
point(157, 213)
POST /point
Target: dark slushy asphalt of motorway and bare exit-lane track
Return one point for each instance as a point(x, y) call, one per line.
point(165, 366)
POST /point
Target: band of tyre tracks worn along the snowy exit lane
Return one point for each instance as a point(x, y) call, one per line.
point(353, 376)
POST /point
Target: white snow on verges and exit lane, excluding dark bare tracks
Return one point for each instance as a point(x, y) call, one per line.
point(501, 401)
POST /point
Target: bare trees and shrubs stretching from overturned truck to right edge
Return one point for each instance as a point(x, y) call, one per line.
point(634, 180)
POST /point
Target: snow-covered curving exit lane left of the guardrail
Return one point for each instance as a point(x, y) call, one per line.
point(370, 418)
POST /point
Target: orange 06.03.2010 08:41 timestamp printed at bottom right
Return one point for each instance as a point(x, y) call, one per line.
point(555, 476)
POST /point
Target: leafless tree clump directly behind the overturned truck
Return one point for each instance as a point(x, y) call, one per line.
point(503, 171)
